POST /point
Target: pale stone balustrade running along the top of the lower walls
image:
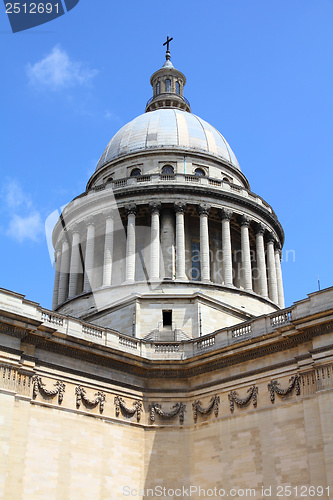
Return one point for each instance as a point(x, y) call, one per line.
point(66, 326)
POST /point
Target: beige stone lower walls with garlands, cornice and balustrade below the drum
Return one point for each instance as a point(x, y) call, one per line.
point(89, 413)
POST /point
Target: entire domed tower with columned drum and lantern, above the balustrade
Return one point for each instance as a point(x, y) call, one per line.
point(168, 240)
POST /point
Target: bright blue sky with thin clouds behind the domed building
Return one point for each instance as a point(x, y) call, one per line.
point(260, 72)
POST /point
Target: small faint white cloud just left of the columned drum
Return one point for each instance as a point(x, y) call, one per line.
point(27, 227)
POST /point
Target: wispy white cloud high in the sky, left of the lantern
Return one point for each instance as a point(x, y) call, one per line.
point(57, 71)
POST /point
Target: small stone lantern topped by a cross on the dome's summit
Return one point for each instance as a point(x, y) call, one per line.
point(168, 84)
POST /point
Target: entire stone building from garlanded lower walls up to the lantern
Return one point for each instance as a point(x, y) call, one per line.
point(169, 366)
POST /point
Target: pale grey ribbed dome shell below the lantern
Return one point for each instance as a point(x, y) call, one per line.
point(168, 129)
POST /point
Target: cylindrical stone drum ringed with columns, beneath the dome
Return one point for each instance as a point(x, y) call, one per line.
point(144, 248)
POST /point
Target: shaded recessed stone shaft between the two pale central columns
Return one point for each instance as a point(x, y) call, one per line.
point(168, 243)
